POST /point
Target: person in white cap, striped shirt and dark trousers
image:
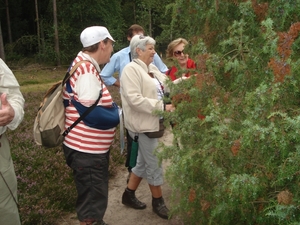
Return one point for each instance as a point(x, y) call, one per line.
point(86, 148)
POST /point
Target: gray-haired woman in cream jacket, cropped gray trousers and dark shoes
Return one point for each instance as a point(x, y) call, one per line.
point(142, 88)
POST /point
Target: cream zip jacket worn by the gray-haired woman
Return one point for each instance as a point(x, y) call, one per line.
point(139, 96)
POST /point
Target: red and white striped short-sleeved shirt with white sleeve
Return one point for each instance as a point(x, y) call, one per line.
point(86, 85)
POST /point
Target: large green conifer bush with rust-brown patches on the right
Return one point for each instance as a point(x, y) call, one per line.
point(236, 152)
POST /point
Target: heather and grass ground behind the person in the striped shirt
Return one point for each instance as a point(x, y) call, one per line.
point(45, 183)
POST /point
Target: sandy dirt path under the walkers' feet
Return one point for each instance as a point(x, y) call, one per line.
point(118, 214)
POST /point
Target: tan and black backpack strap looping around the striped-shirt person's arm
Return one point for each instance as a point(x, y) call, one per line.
point(65, 133)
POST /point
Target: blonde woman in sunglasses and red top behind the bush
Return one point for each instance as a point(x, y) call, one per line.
point(176, 52)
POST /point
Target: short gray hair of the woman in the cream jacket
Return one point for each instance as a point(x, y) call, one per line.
point(140, 41)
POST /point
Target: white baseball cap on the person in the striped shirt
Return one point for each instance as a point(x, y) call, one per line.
point(93, 35)
